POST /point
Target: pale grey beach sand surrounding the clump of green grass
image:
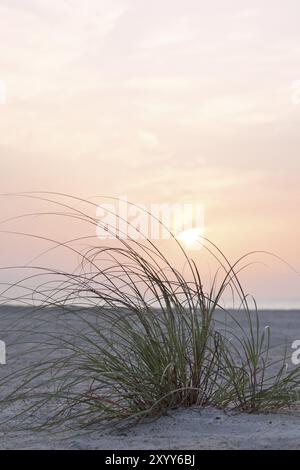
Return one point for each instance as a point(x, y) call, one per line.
point(180, 429)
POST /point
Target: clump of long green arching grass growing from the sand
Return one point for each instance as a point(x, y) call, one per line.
point(142, 338)
